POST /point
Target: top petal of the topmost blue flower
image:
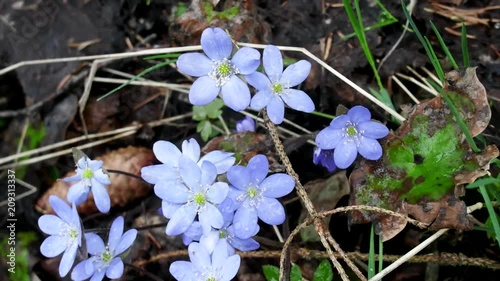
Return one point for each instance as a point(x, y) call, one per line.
point(216, 43)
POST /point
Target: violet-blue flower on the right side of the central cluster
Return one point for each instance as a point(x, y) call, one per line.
point(254, 195)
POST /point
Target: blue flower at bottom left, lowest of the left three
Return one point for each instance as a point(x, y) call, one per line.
point(105, 259)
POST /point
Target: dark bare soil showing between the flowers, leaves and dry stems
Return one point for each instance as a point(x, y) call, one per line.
point(31, 30)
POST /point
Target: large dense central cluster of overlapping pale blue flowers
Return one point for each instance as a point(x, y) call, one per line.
point(222, 217)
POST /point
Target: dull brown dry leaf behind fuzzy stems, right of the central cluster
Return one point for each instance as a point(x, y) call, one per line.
point(324, 194)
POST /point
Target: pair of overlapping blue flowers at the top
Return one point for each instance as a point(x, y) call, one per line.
point(218, 73)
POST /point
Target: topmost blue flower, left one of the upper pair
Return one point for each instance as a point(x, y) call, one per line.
point(217, 72)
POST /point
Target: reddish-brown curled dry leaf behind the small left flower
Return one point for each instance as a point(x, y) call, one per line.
point(122, 190)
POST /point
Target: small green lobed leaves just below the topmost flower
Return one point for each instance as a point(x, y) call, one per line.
point(205, 115)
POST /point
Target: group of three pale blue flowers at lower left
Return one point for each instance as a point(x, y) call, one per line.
point(66, 232)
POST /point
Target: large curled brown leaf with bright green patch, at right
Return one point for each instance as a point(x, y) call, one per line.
point(426, 162)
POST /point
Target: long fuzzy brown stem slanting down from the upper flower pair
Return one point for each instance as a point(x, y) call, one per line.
point(321, 228)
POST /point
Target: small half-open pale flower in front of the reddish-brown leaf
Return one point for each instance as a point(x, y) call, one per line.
point(89, 175)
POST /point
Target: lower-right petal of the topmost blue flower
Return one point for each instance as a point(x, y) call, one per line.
point(236, 94)
